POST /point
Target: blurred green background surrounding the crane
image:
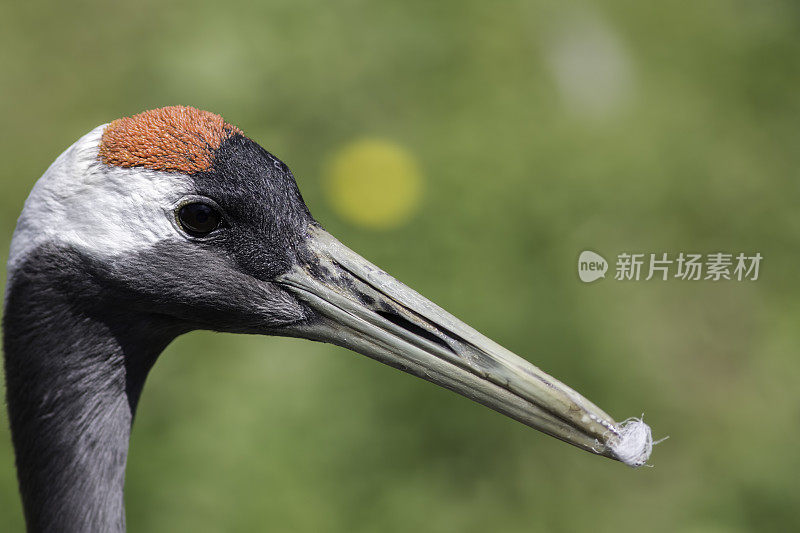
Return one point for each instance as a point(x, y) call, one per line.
point(538, 130)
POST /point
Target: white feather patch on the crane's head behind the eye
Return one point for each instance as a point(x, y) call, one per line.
point(102, 210)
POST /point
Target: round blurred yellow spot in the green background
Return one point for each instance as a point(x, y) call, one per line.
point(373, 183)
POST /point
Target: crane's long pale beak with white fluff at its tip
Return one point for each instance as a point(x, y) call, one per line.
point(362, 308)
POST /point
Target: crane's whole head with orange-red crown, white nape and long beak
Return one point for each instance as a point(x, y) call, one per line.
point(175, 214)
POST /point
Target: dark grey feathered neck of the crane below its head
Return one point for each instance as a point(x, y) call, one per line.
point(73, 378)
